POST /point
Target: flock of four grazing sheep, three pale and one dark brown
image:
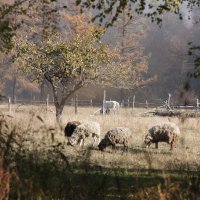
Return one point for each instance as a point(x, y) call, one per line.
point(76, 133)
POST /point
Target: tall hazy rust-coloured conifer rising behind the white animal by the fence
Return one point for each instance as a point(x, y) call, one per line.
point(127, 35)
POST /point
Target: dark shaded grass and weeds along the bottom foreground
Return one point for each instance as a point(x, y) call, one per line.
point(56, 178)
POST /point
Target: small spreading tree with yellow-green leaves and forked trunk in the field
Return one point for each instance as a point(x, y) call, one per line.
point(66, 65)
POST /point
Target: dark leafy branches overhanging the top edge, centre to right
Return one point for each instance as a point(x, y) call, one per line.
point(109, 11)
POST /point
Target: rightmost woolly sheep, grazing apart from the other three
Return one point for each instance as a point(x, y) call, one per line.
point(166, 132)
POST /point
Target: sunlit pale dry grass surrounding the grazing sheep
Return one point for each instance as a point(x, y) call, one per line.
point(185, 155)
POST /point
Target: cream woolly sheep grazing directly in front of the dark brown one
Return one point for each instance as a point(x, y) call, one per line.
point(88, 129)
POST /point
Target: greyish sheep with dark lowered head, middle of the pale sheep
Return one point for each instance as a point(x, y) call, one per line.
point(119, 135)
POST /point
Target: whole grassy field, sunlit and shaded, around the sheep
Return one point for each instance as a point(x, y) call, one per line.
point(47, 168)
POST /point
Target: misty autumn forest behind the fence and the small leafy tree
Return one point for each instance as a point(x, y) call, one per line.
point(162, 49)
